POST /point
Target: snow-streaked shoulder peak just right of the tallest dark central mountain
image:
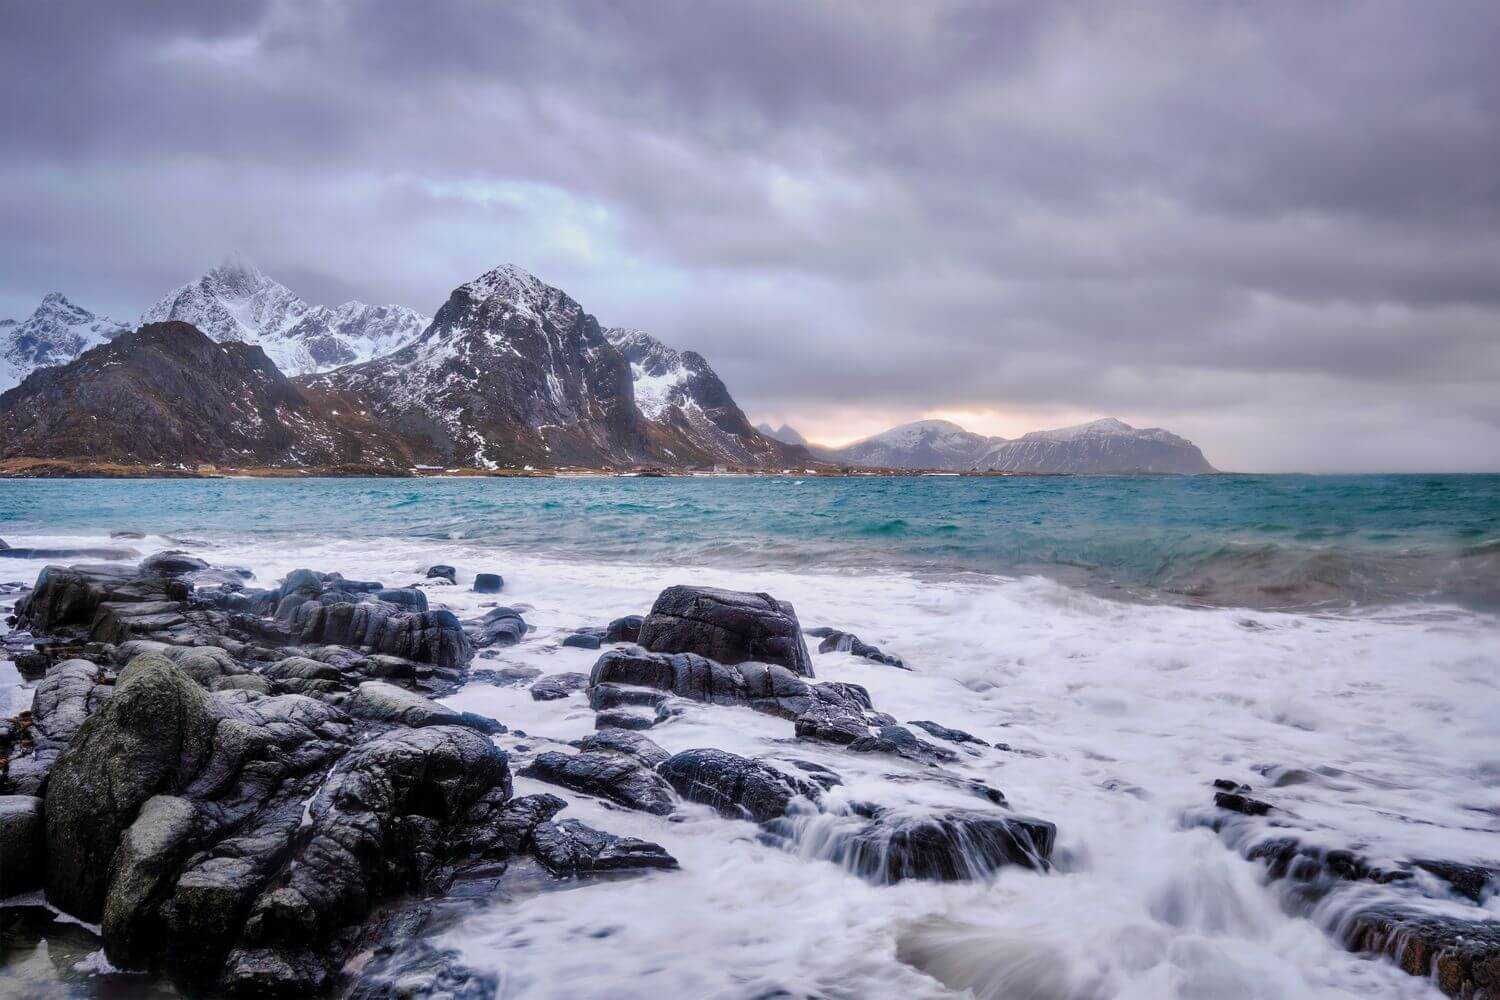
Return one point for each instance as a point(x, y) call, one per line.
point(691, 410)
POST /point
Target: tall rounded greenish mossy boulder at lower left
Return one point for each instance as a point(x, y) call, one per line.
point(154, 732)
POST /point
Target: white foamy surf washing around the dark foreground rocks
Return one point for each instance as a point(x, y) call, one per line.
point(1120, 714)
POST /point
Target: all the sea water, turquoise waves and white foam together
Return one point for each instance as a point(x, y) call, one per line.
point(1333, 642)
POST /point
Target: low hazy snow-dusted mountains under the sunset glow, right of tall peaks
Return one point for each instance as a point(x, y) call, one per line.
point(1105, 448)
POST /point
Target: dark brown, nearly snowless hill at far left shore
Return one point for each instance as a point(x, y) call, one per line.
point(167, 395)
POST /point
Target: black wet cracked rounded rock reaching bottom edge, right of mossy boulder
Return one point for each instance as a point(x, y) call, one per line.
point(394, 810)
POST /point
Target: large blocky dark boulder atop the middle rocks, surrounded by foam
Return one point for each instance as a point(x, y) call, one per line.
point(728, 627)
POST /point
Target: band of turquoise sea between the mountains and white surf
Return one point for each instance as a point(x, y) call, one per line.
point(1273, 542)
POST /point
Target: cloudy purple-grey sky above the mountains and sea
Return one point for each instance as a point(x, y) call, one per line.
point(1273, 227)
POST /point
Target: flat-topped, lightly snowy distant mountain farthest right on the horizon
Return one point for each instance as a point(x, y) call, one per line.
point(1100, 448)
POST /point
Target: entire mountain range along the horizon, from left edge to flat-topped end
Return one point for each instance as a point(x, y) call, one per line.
point(235, 370)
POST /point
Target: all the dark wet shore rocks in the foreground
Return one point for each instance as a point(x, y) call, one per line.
point(257, 791)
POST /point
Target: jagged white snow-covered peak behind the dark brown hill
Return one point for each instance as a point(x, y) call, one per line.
point(236, 302)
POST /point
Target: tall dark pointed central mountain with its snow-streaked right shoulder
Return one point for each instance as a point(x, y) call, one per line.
point(514, 373)
